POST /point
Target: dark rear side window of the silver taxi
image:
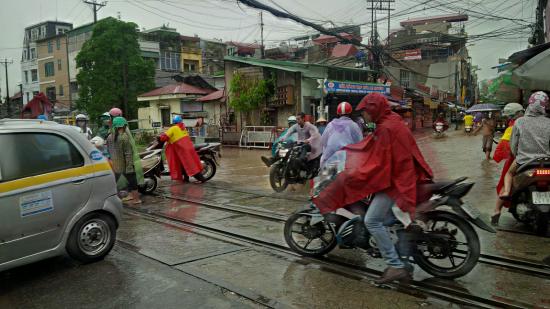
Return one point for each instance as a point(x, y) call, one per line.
point(30, 154)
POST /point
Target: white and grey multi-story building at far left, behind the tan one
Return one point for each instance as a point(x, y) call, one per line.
point(29, 57)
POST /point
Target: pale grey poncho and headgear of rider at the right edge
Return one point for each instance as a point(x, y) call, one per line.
point(531, 133)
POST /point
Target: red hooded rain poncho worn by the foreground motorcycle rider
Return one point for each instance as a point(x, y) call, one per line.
point(386, 161)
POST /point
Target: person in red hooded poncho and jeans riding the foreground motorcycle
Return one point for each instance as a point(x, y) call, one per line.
point(388, 164)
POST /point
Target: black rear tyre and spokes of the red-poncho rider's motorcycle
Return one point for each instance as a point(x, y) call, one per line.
point(471, 252)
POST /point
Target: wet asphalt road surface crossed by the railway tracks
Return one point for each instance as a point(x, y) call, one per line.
point(161, 264)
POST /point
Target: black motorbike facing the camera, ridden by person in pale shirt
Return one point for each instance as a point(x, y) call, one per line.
point(290, 167)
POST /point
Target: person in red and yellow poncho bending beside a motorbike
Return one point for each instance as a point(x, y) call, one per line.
point(180, 153)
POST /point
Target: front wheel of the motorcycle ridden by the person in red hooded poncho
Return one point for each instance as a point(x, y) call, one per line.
point(306, 239)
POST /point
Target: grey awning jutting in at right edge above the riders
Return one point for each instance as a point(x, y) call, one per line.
point(533, 74)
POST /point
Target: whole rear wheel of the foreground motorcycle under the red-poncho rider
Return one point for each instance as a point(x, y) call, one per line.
point(454, 253)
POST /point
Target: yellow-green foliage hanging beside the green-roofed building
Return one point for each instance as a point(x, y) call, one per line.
point(249, 94)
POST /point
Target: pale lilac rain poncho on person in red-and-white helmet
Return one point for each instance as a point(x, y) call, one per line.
point(340, 132)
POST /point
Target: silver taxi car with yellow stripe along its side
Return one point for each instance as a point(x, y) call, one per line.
point(57, 195)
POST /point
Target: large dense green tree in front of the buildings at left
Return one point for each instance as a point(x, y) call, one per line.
point(112, 71)
